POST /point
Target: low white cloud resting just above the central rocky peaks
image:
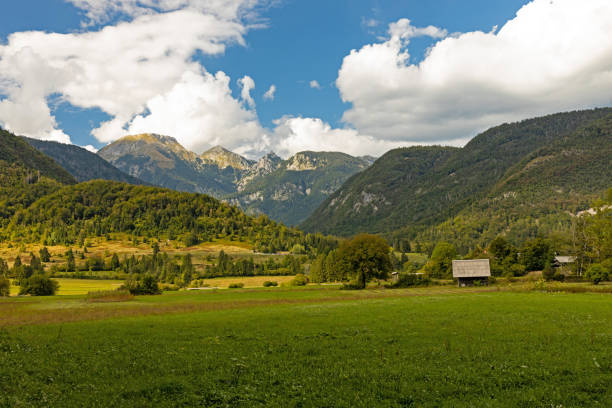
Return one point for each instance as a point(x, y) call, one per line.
point(295, 134)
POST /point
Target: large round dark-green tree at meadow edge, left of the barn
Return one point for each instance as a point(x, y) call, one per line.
point(365, 257)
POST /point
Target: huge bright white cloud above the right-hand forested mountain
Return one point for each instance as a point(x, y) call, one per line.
point(552, 56)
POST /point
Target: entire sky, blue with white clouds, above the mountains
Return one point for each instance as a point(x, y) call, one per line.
point(358, 76)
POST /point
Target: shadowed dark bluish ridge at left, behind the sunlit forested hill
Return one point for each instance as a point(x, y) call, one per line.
point(80, 163)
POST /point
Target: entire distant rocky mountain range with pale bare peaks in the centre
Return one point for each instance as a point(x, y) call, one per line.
point(285, 190)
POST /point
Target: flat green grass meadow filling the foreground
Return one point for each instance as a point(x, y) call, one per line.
point(310, 348)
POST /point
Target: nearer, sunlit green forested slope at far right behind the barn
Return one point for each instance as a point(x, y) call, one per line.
point(541, 193)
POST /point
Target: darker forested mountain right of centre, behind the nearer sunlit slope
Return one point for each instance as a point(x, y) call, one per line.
point(397, 195)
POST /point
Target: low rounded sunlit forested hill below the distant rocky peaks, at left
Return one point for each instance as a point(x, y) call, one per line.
point(97, 208)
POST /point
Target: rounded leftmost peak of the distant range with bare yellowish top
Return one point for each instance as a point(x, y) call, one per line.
point(162, 161)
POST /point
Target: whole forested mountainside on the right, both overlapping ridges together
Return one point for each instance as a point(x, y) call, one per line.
point(409, 192)
